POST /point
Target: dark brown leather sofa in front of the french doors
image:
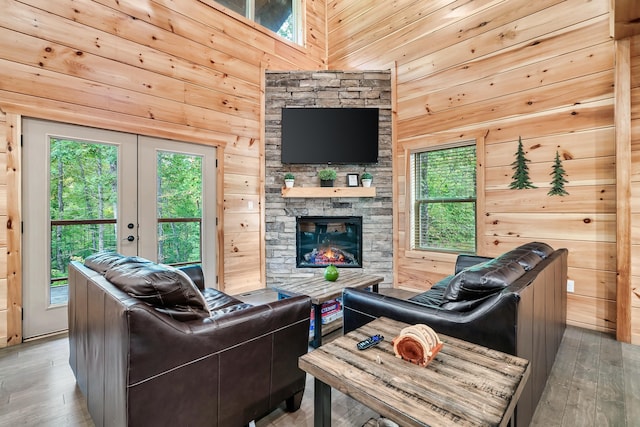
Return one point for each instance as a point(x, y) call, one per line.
point(166, 360)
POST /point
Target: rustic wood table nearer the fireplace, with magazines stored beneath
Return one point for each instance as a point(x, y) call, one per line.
point(321, 290)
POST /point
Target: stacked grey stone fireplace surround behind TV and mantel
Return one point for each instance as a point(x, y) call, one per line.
point(333, 89)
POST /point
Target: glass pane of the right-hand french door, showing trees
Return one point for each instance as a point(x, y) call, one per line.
point(179, 208)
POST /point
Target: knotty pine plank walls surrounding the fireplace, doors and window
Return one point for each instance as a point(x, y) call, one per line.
point(485, 69)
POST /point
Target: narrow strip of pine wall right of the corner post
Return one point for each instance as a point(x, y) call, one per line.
point(635, 189)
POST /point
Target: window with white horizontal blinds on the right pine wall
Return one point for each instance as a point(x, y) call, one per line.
point(444, 198)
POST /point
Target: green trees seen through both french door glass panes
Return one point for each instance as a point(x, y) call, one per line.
point(83, 207)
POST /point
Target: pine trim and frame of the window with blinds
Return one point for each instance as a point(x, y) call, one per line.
point(412, 187)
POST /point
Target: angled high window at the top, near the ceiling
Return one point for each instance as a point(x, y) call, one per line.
point(280, 16)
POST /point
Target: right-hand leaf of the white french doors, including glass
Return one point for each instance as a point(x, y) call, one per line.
point(177, 196)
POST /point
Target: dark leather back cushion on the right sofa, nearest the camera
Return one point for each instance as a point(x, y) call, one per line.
point(483, 279)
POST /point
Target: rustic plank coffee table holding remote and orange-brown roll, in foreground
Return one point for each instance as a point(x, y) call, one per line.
point(466, 384)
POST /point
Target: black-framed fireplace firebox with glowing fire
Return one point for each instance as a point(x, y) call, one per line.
point(325, 240)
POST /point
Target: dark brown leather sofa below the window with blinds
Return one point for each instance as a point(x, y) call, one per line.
point(515, 303)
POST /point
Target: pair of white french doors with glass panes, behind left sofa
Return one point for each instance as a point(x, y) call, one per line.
point(86, 190)
